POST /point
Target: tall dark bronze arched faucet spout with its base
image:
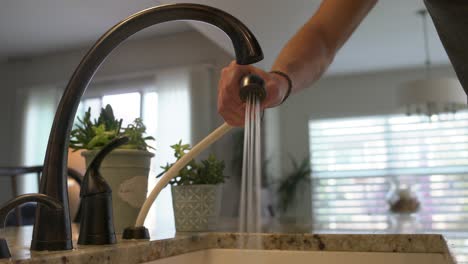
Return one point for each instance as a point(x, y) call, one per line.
point(52, 229)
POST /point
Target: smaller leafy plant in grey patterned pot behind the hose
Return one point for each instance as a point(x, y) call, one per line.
point(196, 192)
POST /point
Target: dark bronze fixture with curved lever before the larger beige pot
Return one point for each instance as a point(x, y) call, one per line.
point(96, 224)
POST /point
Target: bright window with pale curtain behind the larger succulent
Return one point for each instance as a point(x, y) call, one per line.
point(163, 101)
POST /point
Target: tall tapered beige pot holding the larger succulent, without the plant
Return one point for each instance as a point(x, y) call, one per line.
point(126, 172)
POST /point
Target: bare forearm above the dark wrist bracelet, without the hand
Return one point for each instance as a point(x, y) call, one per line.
point(312, 49)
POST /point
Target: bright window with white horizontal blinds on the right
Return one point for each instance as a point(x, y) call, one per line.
point(355, 161)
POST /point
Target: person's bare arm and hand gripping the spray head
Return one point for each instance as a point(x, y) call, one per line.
point(304, 58)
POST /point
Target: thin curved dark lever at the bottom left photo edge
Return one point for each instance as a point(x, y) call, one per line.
point(8, 206)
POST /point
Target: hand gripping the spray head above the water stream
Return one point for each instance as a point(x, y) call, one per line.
point(231, 107)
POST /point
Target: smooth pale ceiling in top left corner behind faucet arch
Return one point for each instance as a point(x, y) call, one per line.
point(34, 27)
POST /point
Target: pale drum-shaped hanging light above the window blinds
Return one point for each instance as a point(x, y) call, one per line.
point(431, 96)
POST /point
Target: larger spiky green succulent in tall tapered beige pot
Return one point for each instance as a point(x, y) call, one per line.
point(126, 169)
